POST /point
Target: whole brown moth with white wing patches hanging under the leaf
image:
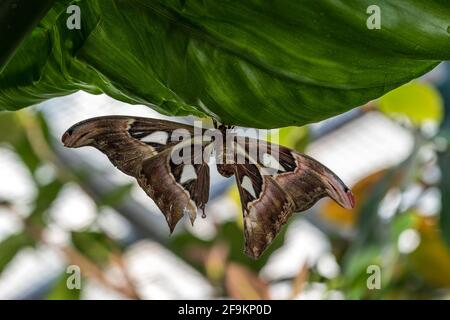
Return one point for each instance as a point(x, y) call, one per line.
point(170, 162)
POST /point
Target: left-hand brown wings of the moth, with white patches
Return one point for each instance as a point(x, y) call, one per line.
point(144, 148)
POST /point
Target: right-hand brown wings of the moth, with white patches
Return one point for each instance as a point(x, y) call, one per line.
point(274, 184)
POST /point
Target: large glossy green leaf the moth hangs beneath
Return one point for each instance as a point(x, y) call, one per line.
point(254, 63)
